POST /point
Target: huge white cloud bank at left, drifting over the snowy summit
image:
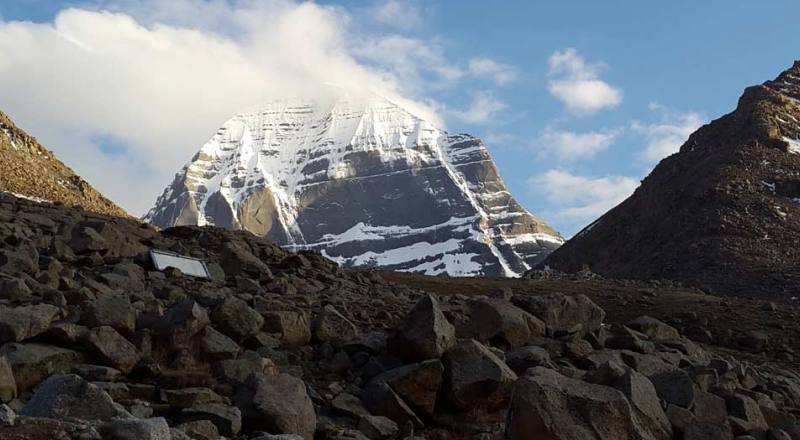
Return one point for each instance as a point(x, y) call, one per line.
point(159, 76)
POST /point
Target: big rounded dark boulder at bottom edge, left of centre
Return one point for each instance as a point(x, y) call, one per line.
point(279, 404)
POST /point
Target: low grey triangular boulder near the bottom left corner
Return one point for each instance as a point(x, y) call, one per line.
point(69, 396)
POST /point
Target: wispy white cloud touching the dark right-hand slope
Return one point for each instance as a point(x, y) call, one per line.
point(666, 137)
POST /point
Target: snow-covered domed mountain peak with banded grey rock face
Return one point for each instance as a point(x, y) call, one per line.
point(364, 181)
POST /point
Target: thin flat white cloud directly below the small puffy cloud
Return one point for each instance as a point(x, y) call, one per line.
point(568, 145)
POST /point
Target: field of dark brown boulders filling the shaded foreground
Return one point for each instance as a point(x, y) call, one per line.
point(97, 344)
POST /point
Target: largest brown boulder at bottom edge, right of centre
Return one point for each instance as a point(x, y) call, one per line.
point(548, 405)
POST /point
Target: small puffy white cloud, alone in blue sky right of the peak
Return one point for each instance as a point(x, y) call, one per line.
point(576, 83)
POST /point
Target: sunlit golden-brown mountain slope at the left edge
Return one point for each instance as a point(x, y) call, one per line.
point(28, 169)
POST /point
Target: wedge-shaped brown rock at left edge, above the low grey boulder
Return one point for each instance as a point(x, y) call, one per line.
point(33, 363)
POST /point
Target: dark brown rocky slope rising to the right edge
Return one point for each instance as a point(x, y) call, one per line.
point(723, 213)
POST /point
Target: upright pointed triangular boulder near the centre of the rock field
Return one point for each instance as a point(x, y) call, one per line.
point(425, 333)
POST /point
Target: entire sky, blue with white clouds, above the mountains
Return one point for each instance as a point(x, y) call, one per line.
point(576, 100)
